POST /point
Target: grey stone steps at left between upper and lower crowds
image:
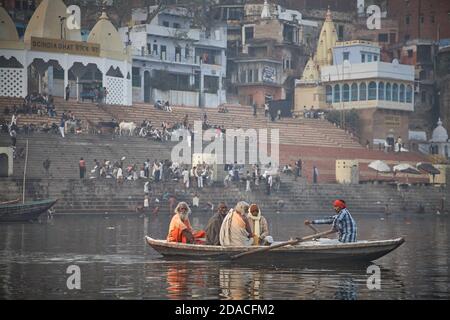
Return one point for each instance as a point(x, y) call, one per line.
point(65, 154)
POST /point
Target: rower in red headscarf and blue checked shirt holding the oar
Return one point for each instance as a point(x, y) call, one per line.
point(343, 222)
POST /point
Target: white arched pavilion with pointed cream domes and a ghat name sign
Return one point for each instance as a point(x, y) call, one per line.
point(52, 56)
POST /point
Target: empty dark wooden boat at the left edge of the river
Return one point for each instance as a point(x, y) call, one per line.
point(24, 212)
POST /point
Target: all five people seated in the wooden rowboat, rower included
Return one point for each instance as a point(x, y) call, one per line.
point(244, 225)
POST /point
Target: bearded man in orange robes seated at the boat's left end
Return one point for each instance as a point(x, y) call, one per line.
point(180, 229)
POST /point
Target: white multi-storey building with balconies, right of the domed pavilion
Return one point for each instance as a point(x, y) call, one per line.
point(175, 63)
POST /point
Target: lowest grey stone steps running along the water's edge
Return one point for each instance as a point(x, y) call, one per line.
point(107, 197)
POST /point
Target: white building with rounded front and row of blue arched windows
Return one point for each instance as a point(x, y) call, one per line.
point(359, 80)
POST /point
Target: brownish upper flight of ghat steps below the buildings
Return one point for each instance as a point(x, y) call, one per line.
point(304, 132)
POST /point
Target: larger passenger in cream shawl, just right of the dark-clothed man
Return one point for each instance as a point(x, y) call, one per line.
point(235, 229)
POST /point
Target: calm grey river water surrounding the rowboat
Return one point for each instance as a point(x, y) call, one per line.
point(115, 262)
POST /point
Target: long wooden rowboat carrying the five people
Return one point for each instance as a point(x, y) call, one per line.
point(322, 250)
